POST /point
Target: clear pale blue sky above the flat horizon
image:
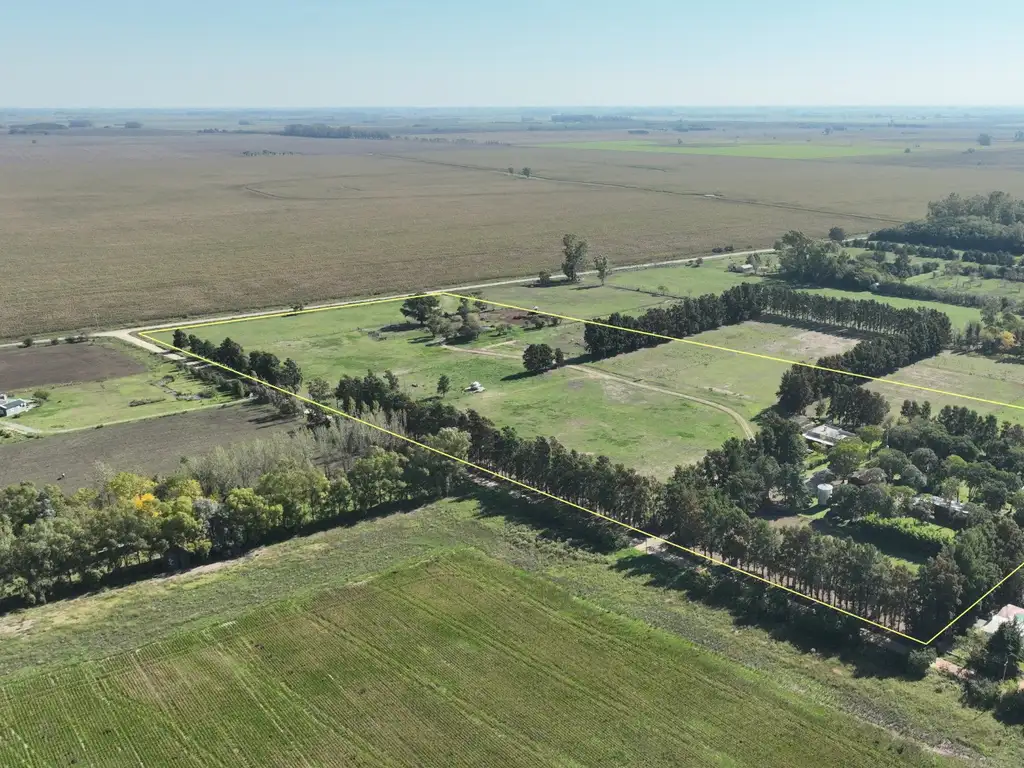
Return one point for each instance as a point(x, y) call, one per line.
point(516, 53)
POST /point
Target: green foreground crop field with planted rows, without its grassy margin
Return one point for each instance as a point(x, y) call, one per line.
point(457, 662)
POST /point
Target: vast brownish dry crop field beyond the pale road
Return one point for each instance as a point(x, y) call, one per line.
point(111, 232)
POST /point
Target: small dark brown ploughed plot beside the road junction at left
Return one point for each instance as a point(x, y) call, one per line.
point(25, 368)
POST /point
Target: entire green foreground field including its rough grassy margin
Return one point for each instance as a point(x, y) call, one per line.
point(217, 667)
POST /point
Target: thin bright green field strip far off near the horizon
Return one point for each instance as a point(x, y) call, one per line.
point(794, 151)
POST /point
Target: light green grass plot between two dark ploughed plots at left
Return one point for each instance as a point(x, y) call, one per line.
point(92, 404)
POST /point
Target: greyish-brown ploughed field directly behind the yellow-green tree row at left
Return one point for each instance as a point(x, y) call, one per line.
point(148, 447)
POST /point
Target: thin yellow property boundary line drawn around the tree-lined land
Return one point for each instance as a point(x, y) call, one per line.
point(270, 316)
